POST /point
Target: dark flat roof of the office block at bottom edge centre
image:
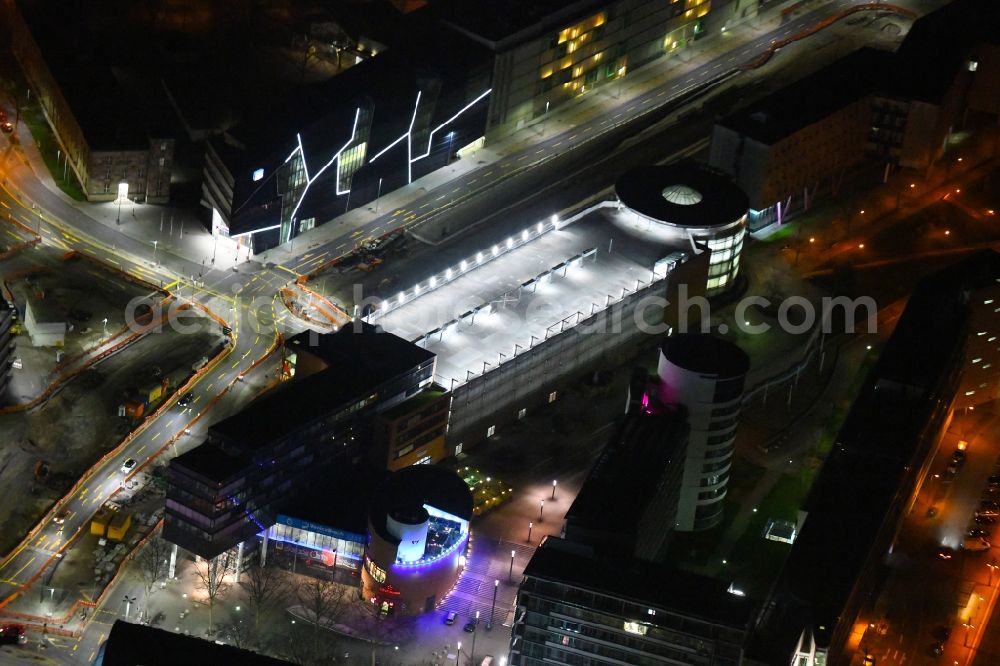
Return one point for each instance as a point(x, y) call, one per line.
point(647, 584)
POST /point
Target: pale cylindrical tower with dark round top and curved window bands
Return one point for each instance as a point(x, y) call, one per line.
point(705, 375)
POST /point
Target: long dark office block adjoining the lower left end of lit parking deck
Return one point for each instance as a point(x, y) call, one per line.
point(232, 487)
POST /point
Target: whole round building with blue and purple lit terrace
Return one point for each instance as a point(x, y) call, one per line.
point(418, 527)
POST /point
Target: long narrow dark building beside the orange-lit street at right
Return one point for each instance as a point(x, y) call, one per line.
point(834, 572)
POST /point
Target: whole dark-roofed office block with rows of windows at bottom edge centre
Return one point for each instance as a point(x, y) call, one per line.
point(576, 607)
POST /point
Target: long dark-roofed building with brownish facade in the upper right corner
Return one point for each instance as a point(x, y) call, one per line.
point(872, 109)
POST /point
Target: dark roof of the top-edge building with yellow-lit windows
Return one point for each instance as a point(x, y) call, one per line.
point(494, 21)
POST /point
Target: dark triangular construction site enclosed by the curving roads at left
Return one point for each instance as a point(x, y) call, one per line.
point(83, 377)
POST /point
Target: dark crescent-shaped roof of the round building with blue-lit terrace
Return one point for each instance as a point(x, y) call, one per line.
point(415, 486)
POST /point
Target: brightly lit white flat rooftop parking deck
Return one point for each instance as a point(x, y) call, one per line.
point(518, 320)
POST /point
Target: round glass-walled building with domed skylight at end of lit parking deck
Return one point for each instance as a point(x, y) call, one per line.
point(692, 202)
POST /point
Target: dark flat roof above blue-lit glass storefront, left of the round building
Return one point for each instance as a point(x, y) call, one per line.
point(338, 498)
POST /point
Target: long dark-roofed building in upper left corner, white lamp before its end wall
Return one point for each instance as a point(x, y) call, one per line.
point(114, 126)
